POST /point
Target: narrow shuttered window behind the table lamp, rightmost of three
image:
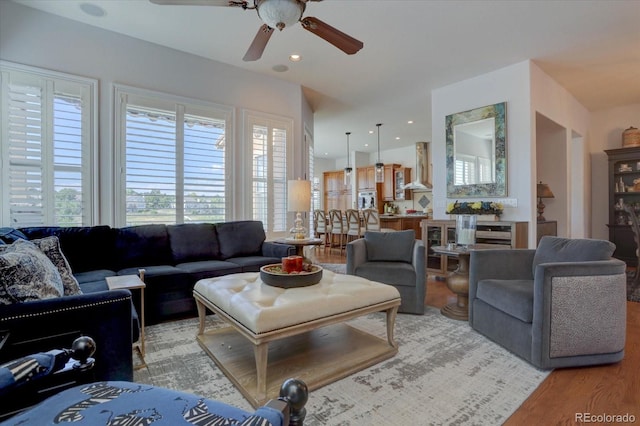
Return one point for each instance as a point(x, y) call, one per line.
point(269, 141)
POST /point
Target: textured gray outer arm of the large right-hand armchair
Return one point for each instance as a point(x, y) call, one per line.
point(579, 308)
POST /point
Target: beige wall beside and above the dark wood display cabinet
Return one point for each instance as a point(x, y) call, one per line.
point(605, 132)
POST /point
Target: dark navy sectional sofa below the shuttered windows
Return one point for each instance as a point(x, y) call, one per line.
point(175, 257)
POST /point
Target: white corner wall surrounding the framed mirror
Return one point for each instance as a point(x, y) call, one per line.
point(527, 91)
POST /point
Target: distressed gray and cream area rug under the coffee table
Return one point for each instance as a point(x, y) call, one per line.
point(444, 373)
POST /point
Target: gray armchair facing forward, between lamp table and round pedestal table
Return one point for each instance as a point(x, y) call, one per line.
point(394, 258)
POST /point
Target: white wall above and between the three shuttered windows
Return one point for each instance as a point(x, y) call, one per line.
point(32, 37)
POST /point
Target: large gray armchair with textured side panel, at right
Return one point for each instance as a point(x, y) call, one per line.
point(561, 305)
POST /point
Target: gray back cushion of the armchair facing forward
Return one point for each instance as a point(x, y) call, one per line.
point(390, 246)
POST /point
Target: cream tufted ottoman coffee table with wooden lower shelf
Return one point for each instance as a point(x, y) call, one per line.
point(278, 333)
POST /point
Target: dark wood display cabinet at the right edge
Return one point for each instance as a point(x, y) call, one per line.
point(624, 188)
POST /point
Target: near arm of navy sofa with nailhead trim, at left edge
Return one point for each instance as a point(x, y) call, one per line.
point(37, 326)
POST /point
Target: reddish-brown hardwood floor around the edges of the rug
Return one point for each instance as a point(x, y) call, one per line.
point(566, 393)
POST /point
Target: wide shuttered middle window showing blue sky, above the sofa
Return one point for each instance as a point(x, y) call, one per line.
point(173, 157)
